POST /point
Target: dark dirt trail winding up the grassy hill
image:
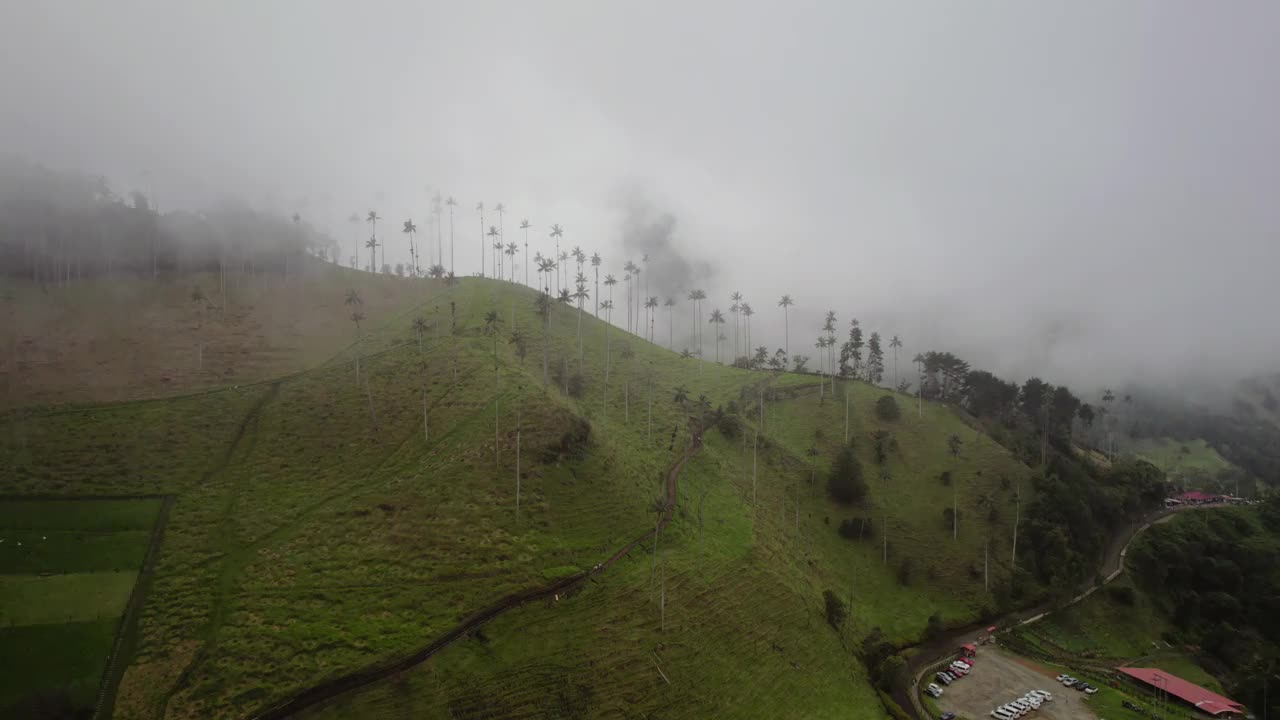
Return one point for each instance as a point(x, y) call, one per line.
point(331, 690)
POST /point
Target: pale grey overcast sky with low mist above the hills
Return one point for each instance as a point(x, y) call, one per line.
point(1084, 190)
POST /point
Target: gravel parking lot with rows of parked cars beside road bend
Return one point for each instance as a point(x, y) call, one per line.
point(1000, 677)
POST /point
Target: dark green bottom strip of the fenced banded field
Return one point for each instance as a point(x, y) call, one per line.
point(53, 662)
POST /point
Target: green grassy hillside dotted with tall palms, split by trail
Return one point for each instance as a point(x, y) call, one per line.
point(318, 530)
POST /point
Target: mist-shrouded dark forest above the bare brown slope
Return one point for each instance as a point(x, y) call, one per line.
point(58, 226)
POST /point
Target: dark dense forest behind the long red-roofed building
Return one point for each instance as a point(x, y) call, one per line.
point(1217, 577)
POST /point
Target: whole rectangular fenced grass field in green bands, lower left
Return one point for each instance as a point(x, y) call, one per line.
point(67, 569)
